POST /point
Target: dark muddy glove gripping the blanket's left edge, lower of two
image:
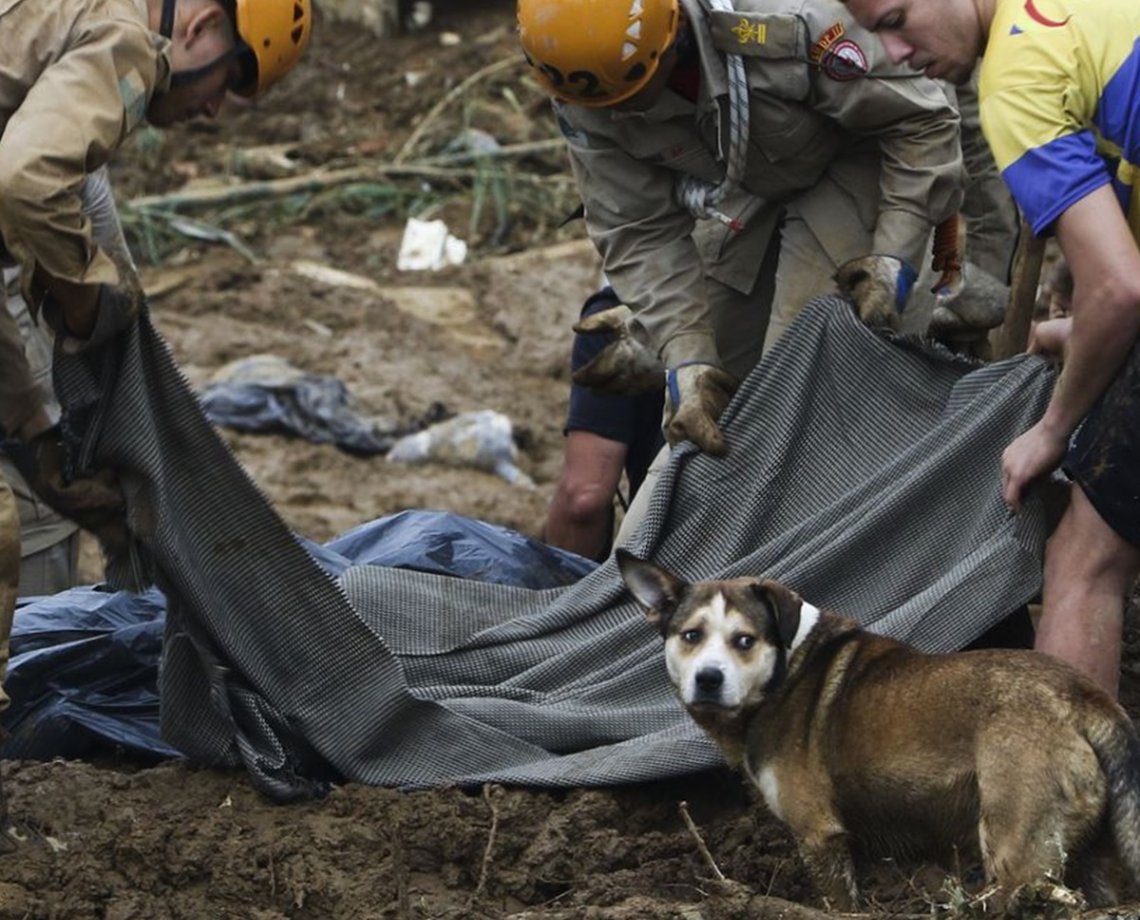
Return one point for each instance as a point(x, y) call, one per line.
point(94, 502)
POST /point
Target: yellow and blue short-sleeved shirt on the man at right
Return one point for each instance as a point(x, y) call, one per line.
point(1061, 103)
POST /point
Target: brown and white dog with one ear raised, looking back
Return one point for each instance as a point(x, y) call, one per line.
point(860, 742)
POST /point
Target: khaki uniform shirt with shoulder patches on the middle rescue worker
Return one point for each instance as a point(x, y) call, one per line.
point(825, 102)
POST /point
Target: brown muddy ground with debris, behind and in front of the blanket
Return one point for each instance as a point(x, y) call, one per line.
point(129, 841)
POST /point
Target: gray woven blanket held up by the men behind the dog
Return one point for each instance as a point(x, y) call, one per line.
point(864, 471)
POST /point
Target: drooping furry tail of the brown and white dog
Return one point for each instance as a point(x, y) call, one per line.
point(1118, 748)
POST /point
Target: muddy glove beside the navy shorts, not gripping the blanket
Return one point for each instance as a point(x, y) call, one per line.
point(626, 367)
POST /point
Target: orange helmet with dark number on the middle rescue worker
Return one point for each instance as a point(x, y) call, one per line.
point(597, 53)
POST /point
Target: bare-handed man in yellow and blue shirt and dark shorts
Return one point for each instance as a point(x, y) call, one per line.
point(1060, 109)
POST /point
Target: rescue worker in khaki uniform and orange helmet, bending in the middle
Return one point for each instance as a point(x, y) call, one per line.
point(678, 111)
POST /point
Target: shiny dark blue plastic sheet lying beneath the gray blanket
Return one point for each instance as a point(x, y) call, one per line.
point(85, 663)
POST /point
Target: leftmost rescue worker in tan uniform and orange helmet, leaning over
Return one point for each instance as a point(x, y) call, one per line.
point(77, 77)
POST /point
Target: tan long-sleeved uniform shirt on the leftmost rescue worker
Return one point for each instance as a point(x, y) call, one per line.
point(76, 79)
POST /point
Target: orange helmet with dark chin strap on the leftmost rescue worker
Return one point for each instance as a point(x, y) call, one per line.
point(276, 34)
